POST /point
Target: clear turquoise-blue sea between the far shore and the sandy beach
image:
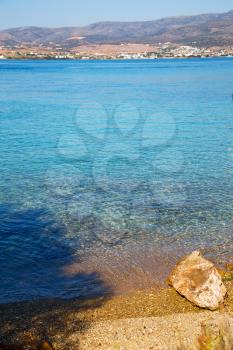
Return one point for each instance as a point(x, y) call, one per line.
point(110, 170)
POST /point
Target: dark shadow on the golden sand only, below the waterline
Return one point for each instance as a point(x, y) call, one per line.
point(28, 323)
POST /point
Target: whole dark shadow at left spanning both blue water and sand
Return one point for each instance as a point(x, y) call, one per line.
point(26, 323)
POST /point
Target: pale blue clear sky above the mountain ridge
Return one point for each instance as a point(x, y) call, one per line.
point(14, 13)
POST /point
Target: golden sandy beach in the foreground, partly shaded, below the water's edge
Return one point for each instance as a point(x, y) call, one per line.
point(141, 320)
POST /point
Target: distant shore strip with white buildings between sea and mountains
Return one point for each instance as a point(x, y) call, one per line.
point(115, 52)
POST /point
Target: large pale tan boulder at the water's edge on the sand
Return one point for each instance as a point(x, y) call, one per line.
point(199, 281)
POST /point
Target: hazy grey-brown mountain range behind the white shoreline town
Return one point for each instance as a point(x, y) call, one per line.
point(199, 30)
